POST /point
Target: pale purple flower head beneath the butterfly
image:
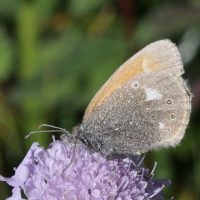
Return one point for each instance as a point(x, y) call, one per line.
point(59, 173)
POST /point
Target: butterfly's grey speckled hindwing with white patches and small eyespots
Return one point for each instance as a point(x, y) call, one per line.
point(147, 112)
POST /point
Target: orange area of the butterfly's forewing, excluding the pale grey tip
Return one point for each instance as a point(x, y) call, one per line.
point(130, 69)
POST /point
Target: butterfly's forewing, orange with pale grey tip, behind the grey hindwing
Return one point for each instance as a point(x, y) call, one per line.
point(159, 55)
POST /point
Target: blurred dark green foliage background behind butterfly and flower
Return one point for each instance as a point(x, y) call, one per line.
point(55, 55)
